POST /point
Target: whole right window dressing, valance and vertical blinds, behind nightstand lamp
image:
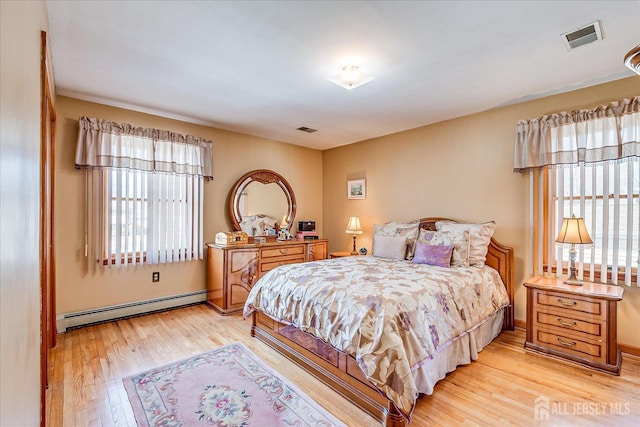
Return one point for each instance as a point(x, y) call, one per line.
point(585, 163)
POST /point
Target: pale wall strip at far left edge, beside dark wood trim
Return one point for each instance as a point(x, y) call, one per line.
point(21, 23)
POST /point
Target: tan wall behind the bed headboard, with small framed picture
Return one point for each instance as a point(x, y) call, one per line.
point(461, 169)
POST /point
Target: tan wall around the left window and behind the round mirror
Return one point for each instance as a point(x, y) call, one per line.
point(233, 155)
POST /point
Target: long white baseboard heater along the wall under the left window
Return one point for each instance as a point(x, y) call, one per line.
point(79, 318)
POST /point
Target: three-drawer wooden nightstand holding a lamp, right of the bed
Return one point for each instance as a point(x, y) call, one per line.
point(575, 323)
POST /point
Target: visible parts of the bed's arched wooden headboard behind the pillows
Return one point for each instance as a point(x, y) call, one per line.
point(500, 257)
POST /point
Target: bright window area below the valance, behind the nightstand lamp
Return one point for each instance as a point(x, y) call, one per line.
point(607, 196)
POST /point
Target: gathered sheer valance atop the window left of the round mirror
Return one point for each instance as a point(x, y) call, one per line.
point(104, 144)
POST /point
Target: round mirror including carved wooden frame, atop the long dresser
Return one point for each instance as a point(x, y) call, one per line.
point(259, 202)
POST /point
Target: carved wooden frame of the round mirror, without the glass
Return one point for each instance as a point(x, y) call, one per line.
point(263, 176)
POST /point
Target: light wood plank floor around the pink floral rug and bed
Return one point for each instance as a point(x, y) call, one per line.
point(88, 364)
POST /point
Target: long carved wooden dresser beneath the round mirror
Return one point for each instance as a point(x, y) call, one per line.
point(232, 270)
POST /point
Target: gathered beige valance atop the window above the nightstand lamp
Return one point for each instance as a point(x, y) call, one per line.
point(606, 133)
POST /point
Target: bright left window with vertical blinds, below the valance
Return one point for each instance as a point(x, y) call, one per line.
point(155, 217)
